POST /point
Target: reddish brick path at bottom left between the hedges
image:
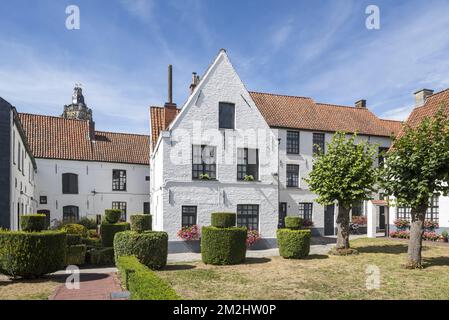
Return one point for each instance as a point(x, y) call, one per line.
point(93, 286)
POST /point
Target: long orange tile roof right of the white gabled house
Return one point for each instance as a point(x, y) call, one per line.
point(304, 113)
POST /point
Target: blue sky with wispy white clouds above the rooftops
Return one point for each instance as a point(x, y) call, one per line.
point(320, 49)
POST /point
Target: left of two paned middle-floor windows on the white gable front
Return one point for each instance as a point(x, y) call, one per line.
point(203, 161)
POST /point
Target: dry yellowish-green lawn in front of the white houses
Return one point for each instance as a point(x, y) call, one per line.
point(319, 276)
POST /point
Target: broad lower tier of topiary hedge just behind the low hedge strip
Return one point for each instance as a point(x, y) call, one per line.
point(150, 247)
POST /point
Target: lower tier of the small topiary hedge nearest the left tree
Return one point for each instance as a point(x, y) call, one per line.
point(293, 244)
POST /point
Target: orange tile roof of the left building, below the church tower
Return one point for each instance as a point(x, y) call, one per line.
point(57, 138)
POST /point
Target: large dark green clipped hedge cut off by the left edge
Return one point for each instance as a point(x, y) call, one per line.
point(32, 254)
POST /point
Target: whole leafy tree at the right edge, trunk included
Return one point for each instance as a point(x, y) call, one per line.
point(416, 167)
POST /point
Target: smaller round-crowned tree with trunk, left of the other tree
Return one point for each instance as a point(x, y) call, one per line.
point(344, 174)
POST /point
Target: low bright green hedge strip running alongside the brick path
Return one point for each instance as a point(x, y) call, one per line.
point(142, 283)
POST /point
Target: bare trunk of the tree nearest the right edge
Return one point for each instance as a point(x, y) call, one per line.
point(418, 215)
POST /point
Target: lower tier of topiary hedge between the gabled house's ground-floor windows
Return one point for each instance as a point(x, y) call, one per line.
point(223, 246)
